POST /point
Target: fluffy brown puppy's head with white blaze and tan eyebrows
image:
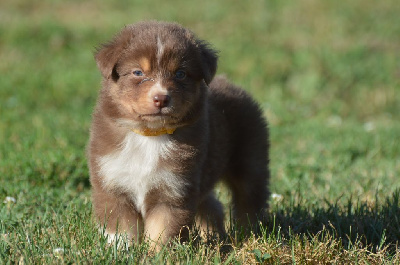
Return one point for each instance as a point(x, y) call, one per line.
point(155, 75)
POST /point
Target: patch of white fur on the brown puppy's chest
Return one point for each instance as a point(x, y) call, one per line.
point(135, 168)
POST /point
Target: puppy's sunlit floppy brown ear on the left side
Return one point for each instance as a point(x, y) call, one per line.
point(108, 54)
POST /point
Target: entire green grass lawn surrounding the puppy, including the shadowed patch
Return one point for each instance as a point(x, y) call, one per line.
point(326, 73)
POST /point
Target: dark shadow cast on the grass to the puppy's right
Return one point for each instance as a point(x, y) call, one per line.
point(373, 225)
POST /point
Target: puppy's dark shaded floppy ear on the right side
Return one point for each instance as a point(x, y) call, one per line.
point(209, 60)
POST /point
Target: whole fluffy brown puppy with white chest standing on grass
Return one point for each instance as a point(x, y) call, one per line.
point(164, 132)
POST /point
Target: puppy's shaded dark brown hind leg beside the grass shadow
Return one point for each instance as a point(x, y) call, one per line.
point(248, 175)
